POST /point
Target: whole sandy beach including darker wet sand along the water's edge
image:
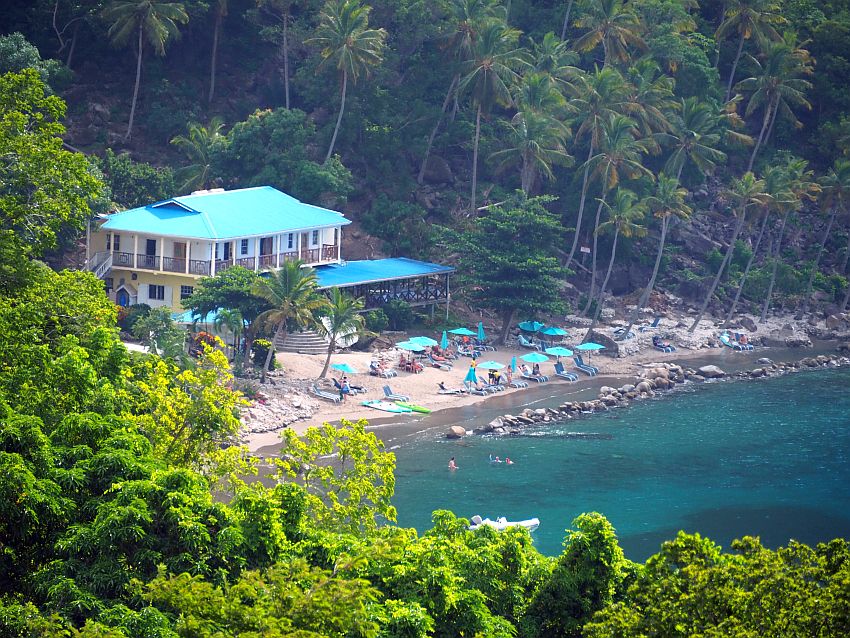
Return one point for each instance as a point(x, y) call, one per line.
point(422, 387)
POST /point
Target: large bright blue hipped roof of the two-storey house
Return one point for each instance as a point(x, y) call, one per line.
point(247, 212)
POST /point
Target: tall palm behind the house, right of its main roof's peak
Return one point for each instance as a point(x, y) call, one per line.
point(346, 40)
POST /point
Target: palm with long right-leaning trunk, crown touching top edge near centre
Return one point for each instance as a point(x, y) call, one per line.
point(467, 16)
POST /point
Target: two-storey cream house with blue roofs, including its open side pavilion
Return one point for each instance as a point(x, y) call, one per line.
point(155, 254)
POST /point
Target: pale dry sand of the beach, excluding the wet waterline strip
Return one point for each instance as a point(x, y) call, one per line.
point(302, 370)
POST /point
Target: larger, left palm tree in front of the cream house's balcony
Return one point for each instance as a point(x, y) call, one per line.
point(293, 295)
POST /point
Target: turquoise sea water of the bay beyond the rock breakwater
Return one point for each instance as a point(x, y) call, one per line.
point(766, 457)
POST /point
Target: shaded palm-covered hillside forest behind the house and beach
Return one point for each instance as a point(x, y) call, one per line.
point(414, 117)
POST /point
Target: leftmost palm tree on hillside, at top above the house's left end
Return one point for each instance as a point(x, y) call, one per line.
point(153, 21)
